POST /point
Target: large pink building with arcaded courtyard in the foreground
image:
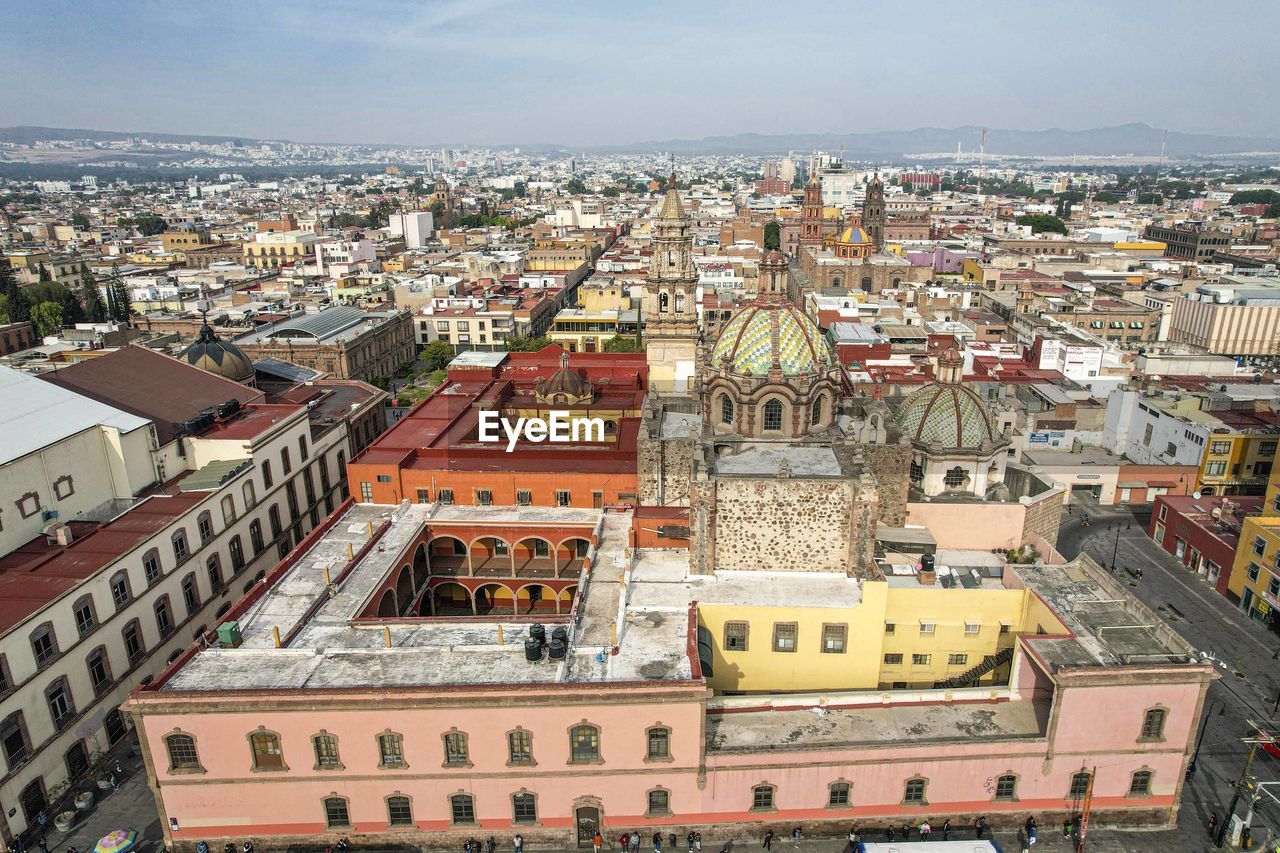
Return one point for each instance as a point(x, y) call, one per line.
point(330, 714)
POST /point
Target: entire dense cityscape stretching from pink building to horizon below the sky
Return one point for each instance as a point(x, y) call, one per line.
point(909, 487)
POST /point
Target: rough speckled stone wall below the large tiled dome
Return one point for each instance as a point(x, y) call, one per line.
point(784, 524)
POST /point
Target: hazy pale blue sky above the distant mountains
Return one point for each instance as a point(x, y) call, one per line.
point(582, 74)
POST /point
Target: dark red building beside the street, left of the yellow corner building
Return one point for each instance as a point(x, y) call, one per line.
point(1203, 532)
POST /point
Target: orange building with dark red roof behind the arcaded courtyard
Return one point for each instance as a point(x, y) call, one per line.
point(436, 453)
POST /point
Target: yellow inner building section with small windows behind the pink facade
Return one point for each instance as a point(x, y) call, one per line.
point(881, 635)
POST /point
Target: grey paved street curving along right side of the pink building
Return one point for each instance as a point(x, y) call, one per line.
point(1245, 650)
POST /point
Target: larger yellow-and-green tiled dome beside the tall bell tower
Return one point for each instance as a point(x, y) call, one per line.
point(748, 341)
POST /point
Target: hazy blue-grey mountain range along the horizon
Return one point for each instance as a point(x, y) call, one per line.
point(1124, 140)
